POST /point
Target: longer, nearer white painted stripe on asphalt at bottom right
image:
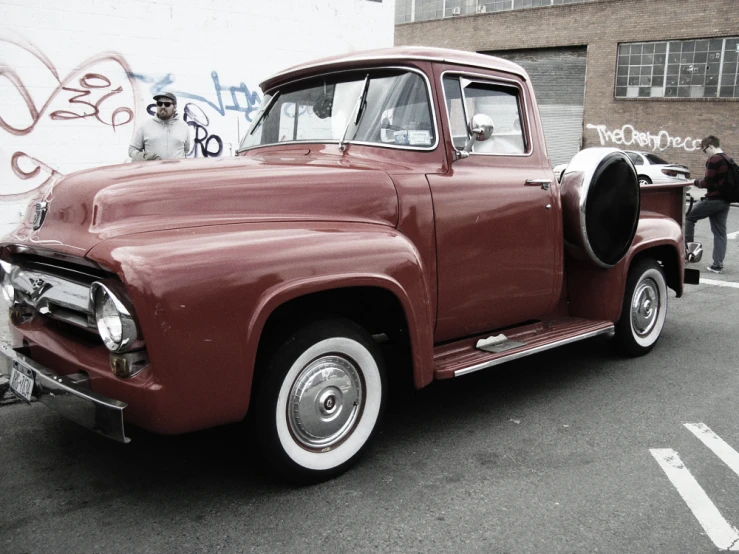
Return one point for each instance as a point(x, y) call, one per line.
point(721, 532)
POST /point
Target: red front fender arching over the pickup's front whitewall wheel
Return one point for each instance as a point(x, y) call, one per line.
point(202, 297)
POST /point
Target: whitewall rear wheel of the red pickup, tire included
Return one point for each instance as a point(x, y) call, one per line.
point(644, 308)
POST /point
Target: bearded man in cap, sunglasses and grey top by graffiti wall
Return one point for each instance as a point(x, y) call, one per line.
point(163, 137)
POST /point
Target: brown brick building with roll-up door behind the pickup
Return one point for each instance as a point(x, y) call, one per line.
point(653, 75)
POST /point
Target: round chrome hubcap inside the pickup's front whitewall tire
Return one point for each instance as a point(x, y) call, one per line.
point(325, 402)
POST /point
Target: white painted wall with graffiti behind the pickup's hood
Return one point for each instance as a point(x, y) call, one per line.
point(77, 75)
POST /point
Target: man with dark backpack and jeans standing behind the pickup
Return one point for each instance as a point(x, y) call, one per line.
point(720, 182)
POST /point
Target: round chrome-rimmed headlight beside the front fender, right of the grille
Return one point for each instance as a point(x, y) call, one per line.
point(115, 324)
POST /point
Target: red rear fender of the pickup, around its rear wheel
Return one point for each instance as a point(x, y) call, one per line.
point(596, 293)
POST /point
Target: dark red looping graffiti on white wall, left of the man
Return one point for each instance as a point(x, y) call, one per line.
point(40, 101)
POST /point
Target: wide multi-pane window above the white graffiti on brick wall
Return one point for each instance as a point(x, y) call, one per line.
point(702, 68)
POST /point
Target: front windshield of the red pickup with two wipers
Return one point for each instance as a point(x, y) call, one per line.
point(396, 111)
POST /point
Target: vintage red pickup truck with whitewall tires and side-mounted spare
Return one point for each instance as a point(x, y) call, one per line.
point(399, 195)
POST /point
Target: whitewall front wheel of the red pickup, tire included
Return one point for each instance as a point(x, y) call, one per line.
point(320, 401)
